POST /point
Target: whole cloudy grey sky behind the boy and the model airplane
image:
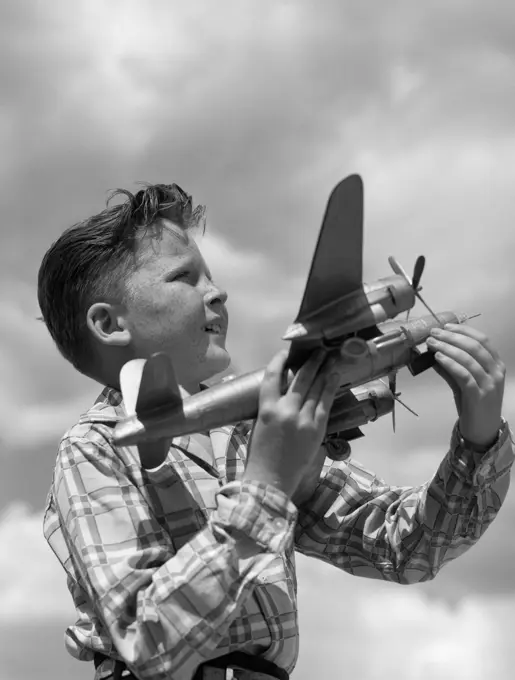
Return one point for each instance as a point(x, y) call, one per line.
point(258, 108)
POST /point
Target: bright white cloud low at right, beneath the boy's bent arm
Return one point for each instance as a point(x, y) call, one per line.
point(371, 629)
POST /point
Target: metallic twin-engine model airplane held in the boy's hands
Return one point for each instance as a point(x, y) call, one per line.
point(338, 311)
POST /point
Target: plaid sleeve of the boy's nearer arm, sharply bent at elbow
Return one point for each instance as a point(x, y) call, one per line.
point(166, 611)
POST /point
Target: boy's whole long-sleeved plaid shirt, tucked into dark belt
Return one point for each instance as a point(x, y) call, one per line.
point(158, 561)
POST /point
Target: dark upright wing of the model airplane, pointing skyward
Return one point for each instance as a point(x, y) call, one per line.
point(337, 265)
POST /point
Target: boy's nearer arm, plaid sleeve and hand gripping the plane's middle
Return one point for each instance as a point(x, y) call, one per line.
point(167, 611)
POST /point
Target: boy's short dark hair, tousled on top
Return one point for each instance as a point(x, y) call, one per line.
point(89, 260)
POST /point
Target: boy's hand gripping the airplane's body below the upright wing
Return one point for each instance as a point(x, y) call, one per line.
point(291, 424)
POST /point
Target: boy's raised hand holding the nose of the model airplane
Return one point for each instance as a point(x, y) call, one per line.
point(473, 370)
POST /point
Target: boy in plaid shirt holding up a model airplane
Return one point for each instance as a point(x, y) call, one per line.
point(176, 573)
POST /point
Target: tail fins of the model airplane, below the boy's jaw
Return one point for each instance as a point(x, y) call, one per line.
point(146, 384)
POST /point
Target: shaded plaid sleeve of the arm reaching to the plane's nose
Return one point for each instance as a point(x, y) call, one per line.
point(361, 525)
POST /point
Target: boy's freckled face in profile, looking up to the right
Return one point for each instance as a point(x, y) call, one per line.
point(173, 306)
